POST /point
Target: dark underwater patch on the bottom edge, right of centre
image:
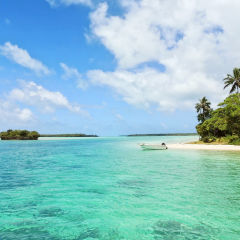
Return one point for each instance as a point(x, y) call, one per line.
point(172, 230)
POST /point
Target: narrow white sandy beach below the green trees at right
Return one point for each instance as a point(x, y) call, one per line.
point(186, 146)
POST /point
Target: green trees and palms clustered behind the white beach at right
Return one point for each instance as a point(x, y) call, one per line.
point(221, 125)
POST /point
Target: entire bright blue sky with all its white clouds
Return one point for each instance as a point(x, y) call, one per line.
point(113, 67)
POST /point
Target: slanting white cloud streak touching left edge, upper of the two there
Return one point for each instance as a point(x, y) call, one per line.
point(22, 57)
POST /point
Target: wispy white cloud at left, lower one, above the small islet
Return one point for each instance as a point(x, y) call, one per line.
point(35, 95)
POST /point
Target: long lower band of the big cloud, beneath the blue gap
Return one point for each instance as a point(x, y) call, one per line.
point(151, 87)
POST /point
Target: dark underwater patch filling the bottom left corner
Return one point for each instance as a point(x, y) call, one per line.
point(34, 233)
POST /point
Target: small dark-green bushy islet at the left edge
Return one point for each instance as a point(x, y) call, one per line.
point(19, 135)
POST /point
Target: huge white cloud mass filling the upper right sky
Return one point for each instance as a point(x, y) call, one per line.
point(195, 41)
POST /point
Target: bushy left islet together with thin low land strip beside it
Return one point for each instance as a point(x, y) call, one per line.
point(34, 135)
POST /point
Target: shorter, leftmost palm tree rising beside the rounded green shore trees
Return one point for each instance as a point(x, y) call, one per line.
point(203, 109)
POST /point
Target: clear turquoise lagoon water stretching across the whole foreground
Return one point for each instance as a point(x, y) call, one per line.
point(108, 188)
